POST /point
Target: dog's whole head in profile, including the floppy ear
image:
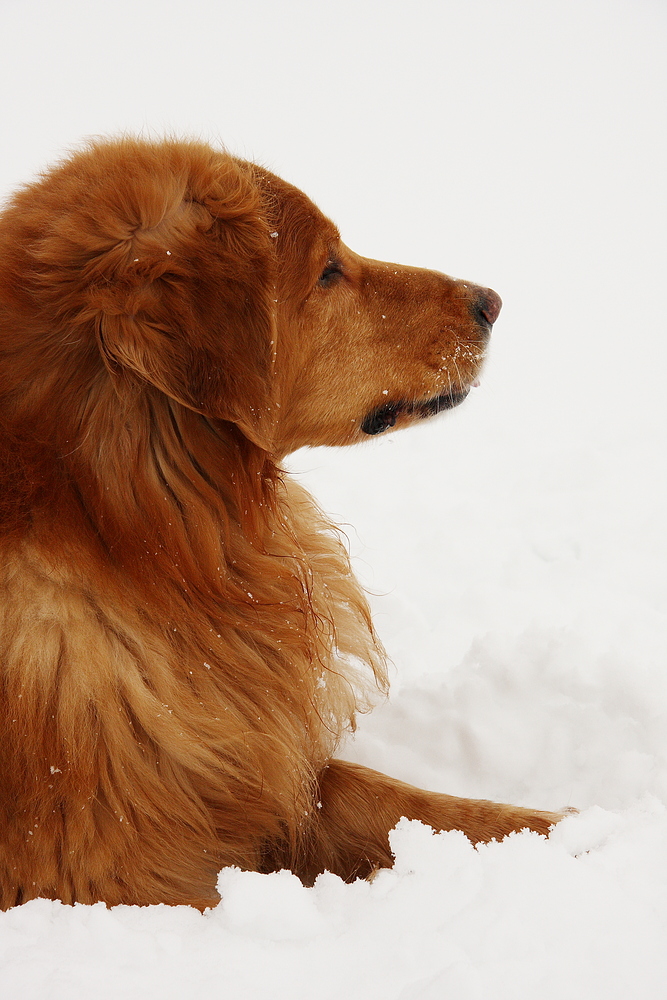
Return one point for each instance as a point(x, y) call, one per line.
point(227, 290)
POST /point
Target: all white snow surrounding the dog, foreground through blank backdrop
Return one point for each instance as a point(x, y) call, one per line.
point(516, 547)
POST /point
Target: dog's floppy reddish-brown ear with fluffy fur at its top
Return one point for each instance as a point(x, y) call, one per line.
point(184, 299)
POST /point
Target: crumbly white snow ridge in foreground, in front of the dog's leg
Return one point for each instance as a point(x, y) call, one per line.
point(577, 916)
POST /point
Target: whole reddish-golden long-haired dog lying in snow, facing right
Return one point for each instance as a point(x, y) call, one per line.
point(182, 641)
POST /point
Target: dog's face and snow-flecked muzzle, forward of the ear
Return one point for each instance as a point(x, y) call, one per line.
point(363, 345)
